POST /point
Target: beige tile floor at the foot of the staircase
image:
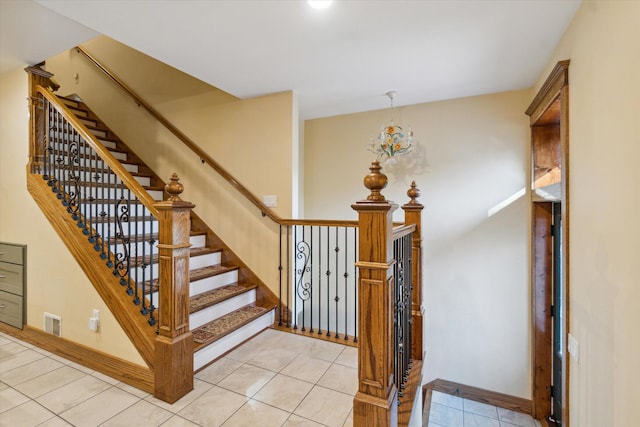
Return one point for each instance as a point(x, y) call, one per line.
point(275, 379)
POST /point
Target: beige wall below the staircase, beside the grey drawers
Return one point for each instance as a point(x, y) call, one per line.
point(55, 282)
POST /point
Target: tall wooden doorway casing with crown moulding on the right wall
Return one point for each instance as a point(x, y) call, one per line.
point(554, 96)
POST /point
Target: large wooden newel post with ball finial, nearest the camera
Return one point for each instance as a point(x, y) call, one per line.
point(376, 402)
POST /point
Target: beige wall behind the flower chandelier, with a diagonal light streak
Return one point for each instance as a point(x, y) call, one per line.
point(472, 154)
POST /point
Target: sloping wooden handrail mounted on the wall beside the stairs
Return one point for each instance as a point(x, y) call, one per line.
point(204, 157)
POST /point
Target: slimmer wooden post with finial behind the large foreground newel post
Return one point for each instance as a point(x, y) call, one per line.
point(413, 215)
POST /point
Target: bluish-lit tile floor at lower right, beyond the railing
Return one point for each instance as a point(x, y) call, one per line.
point(453, 411)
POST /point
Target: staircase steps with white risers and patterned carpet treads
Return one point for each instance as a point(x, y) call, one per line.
point(228, 304)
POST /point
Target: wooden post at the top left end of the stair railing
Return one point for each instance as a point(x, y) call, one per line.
point(37, 137)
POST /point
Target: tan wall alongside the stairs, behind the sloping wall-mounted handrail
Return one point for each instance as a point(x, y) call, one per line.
point(252, 139)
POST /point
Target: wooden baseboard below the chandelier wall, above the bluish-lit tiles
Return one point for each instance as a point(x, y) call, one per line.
point(477, 394)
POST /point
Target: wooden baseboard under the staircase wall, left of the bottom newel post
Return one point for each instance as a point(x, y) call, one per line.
point(129, 373)
